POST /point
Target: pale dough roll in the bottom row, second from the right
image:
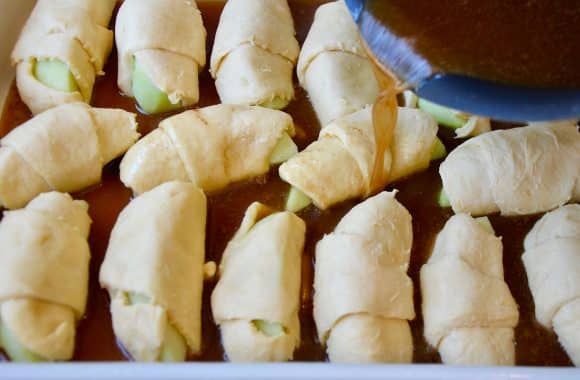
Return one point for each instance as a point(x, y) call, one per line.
point(469, 313)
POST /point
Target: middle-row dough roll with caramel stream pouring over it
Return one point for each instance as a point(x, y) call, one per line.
point(341, 164)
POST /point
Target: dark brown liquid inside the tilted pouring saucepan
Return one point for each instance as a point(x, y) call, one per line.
point(526, 42)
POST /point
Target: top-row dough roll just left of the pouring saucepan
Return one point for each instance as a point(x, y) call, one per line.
point(333, 65)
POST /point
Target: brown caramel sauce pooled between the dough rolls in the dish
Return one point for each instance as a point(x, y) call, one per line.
point(95, 339)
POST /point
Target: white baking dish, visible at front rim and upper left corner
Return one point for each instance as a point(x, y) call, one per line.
point(12, 15)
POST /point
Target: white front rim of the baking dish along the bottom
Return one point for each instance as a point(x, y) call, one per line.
point(290, 371)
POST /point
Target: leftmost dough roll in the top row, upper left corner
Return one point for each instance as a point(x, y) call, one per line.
point(72, 33)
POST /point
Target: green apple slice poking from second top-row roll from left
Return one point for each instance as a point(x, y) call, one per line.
point(150, 98)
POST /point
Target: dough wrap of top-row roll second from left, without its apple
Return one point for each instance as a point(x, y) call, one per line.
point(168, 39)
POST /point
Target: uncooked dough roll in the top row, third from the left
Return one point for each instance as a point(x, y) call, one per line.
point(254, 53)
